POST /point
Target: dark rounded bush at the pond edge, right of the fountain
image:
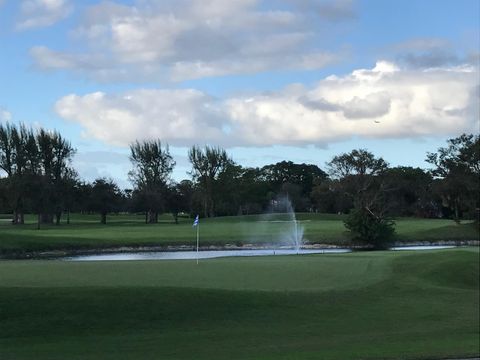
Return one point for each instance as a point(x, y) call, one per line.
point(369, 230)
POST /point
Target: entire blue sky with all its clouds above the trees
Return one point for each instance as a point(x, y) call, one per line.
point(272, 80)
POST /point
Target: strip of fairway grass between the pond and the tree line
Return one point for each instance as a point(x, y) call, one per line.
point(85, 232)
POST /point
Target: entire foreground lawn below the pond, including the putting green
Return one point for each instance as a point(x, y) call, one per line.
point(374, 305)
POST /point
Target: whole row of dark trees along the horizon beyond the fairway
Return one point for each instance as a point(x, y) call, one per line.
point(38, 177)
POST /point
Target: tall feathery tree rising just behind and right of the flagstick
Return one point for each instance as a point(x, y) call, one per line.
point(207, 165)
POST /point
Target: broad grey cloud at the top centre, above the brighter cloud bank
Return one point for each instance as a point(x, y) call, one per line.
point(189, 39)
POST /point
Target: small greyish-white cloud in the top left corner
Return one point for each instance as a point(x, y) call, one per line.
point(42, 13)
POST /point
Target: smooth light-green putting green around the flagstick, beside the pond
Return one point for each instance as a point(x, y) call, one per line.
point(271, 273)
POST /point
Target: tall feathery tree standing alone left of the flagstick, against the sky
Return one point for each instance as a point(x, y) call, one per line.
point(152, 167)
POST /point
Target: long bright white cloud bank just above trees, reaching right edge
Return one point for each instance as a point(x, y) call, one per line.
point(383, 102)
